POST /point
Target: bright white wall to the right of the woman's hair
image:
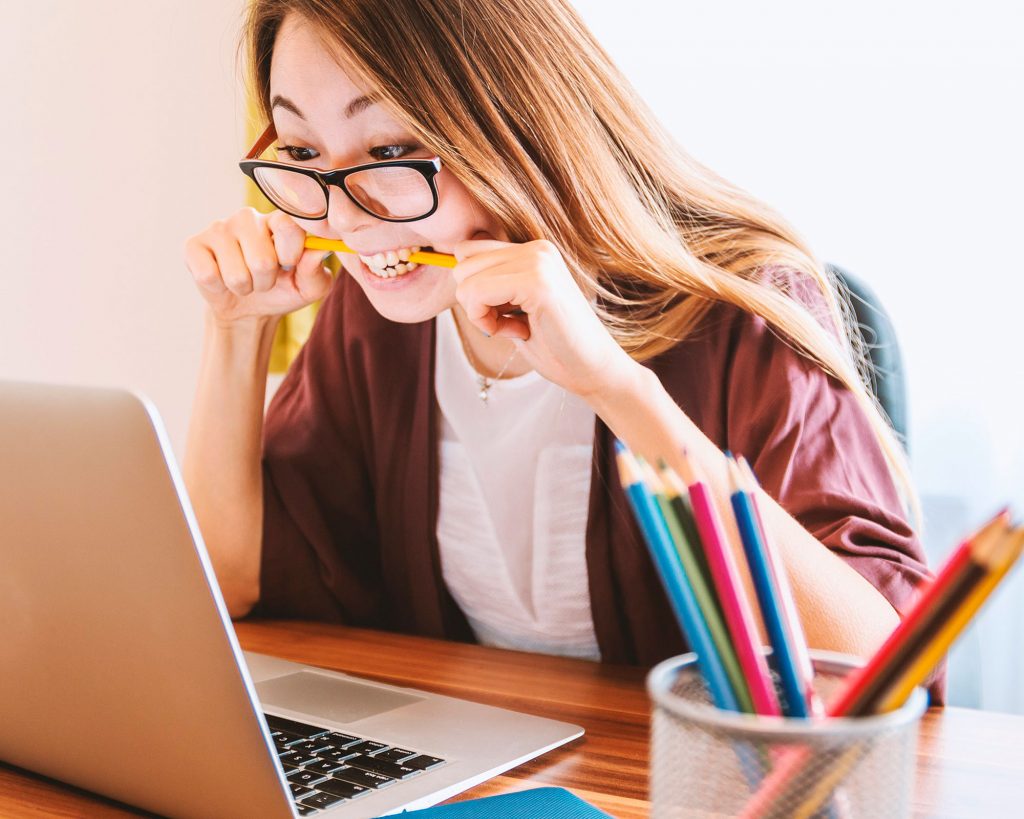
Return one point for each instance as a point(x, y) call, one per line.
point(891, 135)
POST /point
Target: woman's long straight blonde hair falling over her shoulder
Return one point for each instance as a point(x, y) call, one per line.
point(528, 111)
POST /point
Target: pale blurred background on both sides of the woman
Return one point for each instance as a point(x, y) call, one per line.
point(889, 135)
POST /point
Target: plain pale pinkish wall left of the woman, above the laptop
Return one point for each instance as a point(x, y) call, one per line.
point(120, 134)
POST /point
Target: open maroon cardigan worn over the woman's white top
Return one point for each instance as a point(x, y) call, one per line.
point(351, 476)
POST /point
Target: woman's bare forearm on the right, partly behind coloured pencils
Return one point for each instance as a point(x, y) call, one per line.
point(839, 609)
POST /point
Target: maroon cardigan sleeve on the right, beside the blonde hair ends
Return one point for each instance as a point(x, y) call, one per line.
point(815, 451)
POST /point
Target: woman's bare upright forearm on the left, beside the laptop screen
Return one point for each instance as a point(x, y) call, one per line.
point(223, 458)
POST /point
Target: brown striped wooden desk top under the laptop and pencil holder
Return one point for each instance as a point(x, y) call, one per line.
point(971, 764)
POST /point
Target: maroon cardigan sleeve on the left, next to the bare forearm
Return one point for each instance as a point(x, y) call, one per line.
point(320, 557)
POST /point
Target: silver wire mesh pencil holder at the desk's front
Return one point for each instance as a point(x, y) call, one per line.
point(707, 762)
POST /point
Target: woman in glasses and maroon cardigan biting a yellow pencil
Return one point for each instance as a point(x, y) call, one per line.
point(438, 460)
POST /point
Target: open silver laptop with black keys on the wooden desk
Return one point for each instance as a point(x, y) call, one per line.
point(120, 672)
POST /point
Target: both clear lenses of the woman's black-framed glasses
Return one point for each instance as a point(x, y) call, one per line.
point(393, 193)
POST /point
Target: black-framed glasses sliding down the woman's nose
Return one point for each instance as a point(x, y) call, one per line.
point(396, 191)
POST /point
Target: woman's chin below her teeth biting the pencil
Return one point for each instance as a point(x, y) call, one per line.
point(410, 298)
